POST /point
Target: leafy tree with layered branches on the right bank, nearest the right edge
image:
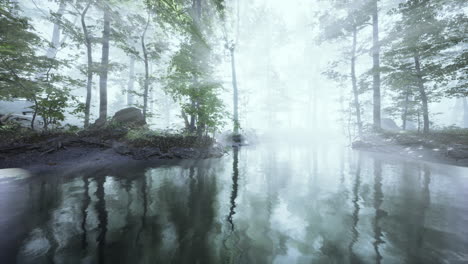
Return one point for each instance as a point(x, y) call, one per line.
point(420, 46)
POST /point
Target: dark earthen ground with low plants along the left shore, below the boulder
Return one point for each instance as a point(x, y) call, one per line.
point(104, 147)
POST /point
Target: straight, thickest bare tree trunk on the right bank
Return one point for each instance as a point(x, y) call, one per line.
point(376, 66)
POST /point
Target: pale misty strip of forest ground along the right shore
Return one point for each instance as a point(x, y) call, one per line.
point(444, 146)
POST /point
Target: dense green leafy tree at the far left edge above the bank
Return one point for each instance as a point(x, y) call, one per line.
point(24, 74)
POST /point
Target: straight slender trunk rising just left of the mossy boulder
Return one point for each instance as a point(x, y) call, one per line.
point(104, 67)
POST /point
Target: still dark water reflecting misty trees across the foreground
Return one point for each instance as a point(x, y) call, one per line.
point(282, 204)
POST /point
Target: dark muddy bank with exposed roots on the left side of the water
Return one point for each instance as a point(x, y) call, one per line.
point(83, 151)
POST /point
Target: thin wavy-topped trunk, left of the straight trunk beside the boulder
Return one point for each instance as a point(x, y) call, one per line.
point(89, 70)
